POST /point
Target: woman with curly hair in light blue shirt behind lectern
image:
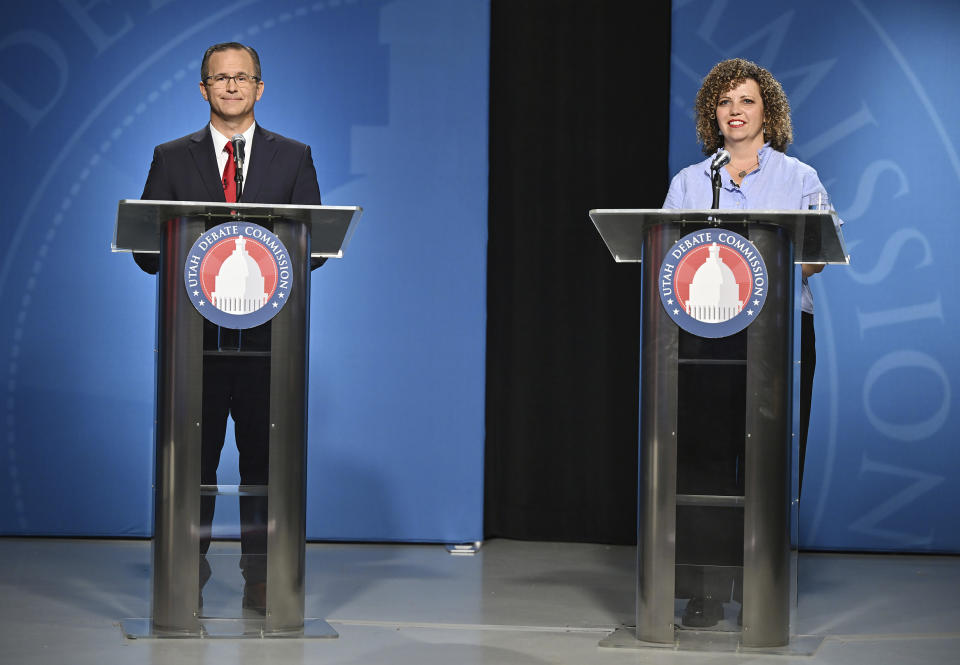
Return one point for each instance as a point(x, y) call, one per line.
point(742, 108)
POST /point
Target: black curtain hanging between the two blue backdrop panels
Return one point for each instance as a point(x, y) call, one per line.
point(579, 103)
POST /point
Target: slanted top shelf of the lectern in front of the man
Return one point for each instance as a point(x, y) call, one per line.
point(139, 222)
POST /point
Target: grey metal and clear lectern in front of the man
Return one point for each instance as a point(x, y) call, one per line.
point(169, 229)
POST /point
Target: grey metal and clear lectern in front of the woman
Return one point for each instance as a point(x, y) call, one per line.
point(696, 529)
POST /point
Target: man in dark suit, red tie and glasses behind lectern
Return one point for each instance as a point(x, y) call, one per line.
point(276, 170)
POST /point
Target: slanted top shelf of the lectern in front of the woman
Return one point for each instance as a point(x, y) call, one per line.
point(817, 236)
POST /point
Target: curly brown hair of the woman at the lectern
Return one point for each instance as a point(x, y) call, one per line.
point(725, 76)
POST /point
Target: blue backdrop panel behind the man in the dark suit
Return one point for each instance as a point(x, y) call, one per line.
point(392, 96)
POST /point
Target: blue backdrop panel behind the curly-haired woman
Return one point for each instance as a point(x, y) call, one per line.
point(876, 110)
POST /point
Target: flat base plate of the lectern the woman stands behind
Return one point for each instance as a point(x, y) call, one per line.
point(710, 640)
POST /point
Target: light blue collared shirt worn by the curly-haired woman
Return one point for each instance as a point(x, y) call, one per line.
point(779, 183)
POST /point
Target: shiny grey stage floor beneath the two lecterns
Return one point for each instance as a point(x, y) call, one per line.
point(514, 603)
